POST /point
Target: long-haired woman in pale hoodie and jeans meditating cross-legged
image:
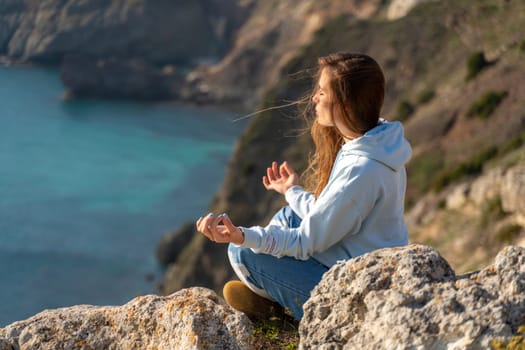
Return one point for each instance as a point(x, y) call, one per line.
point(357, 180)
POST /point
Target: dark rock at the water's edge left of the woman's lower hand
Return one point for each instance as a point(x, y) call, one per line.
point(173, 243)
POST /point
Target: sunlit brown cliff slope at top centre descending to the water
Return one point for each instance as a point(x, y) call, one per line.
point(274, 34)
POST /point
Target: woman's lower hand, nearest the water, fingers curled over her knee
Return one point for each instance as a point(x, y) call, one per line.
point(209, 226)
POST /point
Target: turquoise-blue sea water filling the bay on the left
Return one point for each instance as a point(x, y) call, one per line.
point(87, 188)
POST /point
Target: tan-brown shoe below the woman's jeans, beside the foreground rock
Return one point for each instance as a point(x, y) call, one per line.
point(243, 299)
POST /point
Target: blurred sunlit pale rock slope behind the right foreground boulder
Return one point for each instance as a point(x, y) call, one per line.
point(479, 216)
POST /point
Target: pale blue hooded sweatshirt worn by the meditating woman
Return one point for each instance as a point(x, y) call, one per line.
point(360, 209)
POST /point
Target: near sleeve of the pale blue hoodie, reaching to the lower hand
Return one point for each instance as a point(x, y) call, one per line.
point(339, 211)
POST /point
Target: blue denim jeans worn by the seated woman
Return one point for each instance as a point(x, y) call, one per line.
point(285, 280)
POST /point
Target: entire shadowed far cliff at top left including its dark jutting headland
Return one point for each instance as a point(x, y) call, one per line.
point(119, 48)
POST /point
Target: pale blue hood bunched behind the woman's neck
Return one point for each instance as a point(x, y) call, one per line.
point(386, 143)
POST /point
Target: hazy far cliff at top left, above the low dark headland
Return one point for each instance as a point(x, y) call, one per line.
point(156, 31)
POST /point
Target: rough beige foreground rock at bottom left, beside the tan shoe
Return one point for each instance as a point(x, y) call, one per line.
point(194, 318)
